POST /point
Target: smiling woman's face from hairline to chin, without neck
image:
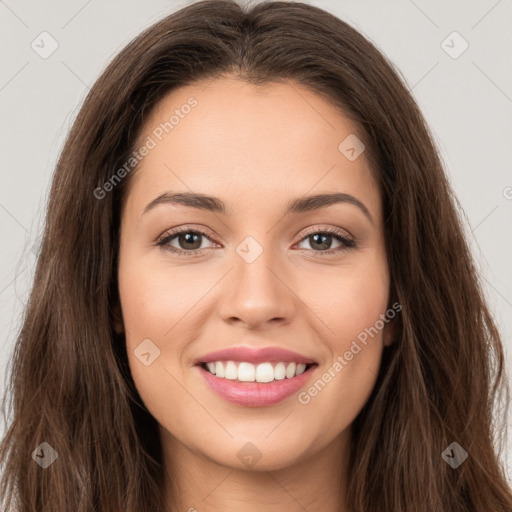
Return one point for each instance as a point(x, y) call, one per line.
point(265, 270)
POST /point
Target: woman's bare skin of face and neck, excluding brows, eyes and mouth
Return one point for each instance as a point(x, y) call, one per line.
point(256, 148)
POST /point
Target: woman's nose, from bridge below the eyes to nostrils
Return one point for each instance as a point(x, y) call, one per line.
point(258, 293)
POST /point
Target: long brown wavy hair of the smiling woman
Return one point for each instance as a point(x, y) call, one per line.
point(440, 381)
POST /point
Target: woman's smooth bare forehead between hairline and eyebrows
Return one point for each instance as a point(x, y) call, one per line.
point(252, 141)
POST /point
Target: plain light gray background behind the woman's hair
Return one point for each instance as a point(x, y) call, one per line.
point(466, 100)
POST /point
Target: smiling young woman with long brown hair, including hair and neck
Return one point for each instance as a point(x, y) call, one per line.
point(323, 343)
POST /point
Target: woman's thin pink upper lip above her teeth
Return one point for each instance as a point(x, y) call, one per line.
point(254, 355)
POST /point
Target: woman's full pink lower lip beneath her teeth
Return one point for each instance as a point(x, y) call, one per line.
point(256, 394)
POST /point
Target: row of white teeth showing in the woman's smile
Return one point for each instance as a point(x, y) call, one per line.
point(248, 372)
